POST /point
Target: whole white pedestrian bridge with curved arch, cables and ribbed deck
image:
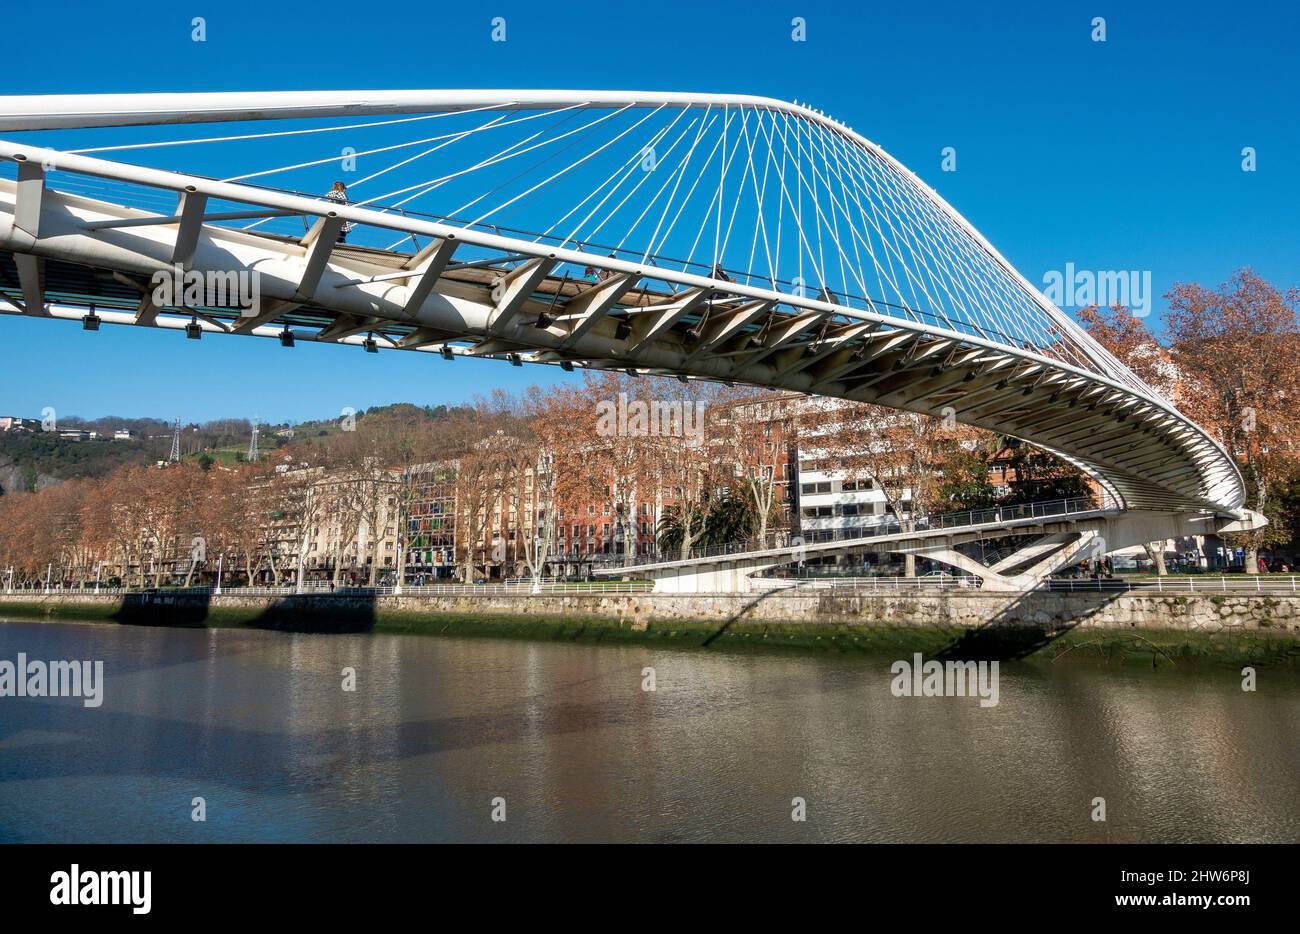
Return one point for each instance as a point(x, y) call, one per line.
point(700, 236)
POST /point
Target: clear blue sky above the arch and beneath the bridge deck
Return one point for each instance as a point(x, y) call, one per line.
point(1117, 155)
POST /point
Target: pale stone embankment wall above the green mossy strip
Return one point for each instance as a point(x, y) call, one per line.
point(1048, 611)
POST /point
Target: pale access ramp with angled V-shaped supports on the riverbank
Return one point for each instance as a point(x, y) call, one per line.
point(1055, 544)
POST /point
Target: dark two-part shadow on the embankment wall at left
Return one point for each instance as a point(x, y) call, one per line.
point(340, 612)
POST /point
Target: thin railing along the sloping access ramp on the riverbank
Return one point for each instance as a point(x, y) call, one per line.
point(785, 540)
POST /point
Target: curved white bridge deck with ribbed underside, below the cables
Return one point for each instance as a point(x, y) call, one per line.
point(466, 295)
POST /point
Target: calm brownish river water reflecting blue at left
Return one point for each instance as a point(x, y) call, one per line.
point(566, 741)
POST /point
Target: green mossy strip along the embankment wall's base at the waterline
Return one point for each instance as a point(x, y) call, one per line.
point(1050, 641)
